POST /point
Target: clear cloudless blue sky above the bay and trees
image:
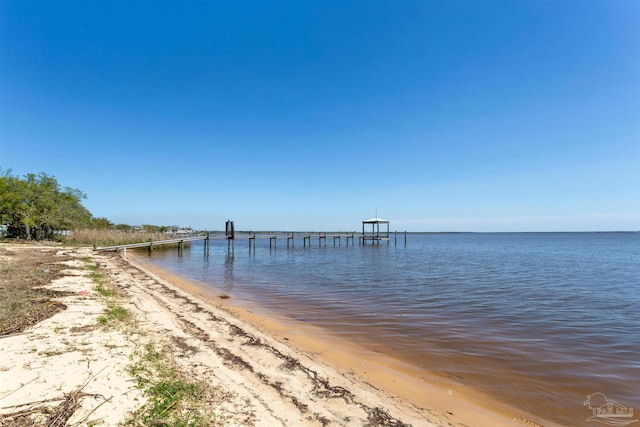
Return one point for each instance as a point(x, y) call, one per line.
point(443, 115)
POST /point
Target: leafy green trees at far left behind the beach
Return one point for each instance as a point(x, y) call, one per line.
point(36, 206)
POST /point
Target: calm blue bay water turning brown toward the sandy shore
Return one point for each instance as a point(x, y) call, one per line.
point(538, 320)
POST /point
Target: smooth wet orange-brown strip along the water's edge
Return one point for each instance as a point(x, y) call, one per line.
point(375, 363)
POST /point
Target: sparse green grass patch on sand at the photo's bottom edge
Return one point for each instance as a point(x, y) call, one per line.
point(173, 399)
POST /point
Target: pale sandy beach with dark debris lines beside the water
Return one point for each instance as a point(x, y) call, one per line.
point(265, 373)
